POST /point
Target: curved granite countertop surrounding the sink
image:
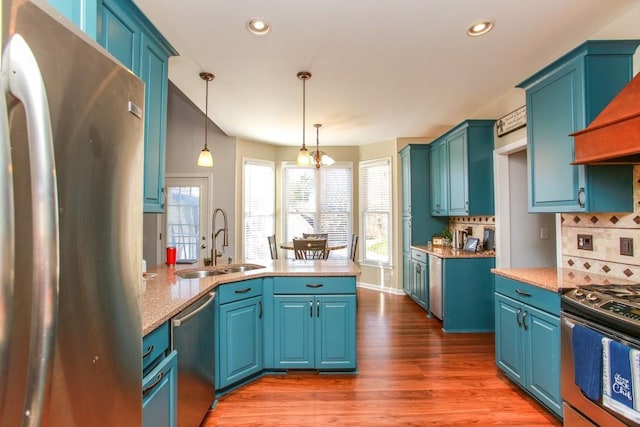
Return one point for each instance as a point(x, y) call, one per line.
point(166, 294)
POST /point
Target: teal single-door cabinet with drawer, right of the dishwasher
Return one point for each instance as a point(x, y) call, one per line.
point(239, 332)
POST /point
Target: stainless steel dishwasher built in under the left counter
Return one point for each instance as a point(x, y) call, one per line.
point(192, 335)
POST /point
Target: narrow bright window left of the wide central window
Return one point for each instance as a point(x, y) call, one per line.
point(258, 207)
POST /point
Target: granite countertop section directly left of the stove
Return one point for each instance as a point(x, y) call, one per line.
point(556, 279)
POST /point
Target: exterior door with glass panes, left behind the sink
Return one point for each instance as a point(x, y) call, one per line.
point(186, 223)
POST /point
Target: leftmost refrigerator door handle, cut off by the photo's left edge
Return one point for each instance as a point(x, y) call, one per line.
point(7, 249)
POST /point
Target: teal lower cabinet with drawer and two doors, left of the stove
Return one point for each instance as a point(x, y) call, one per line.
point(527, 335)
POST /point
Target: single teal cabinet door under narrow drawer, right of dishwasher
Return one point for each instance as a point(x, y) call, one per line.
point(240, 341)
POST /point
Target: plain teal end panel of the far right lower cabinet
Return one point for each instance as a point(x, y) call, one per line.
point(467, 294)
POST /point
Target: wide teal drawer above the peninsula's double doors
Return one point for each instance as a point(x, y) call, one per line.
point(315, 285)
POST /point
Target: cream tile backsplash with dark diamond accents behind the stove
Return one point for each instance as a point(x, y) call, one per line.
point(606, 229)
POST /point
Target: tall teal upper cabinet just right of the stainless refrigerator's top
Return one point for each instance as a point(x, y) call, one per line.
point(129, 36)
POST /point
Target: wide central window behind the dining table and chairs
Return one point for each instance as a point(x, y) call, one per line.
point(318, 201)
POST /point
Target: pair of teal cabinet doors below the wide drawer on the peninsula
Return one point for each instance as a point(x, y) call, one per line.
point(315, 332)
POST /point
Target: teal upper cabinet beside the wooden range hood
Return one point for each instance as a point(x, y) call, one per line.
point(561, 99)
